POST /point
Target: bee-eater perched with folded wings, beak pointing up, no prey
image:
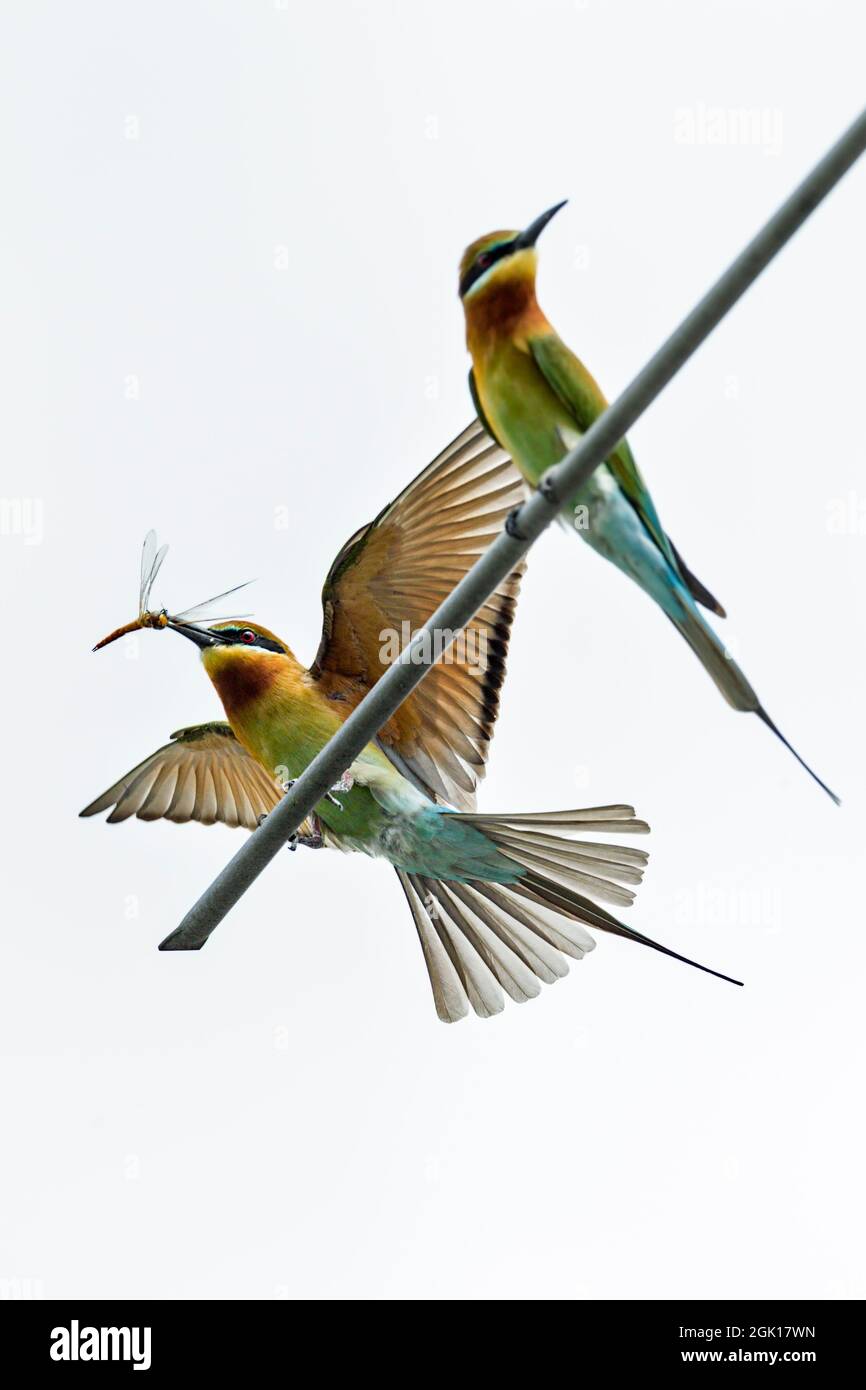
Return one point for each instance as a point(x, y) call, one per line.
point(537, 400)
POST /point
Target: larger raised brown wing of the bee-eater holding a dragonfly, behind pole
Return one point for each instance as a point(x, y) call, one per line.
point(389, 580)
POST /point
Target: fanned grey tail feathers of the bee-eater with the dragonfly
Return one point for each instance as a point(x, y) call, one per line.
point(483, 942)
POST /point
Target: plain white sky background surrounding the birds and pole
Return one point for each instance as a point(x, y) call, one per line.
point(283, 1114)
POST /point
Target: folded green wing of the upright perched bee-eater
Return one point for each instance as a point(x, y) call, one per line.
point(583, 400)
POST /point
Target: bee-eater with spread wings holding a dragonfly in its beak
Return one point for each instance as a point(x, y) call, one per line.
point(497, 901)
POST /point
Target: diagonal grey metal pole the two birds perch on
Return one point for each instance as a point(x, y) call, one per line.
point(501, 558)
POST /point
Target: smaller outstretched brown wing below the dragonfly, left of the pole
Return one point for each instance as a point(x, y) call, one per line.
point(202, 775)
